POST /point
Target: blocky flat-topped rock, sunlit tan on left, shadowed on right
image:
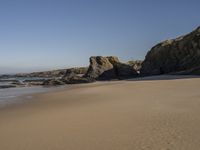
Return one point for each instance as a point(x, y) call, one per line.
point(107, 68)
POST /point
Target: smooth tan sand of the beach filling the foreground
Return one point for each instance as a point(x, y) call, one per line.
point(122, 115)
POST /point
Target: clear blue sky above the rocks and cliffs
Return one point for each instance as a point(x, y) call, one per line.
point(38, 35)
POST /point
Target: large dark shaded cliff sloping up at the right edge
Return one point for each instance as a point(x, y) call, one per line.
point(177, 55)
